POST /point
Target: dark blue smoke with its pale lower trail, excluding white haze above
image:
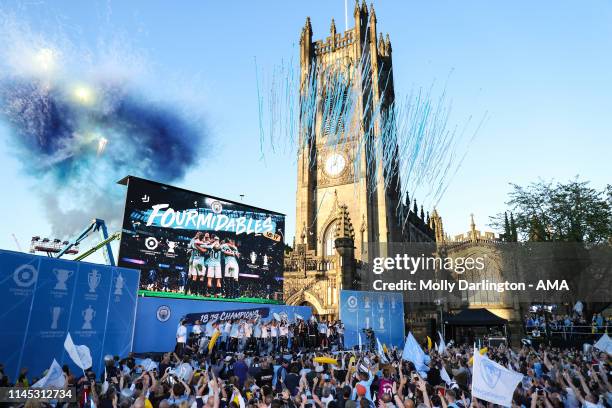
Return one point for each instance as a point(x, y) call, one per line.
point(76, 142)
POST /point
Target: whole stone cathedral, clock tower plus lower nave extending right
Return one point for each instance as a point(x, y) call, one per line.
point(348, 202)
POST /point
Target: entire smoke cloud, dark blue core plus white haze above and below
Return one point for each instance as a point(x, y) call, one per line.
point(78, 118)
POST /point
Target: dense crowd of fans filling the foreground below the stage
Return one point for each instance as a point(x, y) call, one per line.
point(309, 378)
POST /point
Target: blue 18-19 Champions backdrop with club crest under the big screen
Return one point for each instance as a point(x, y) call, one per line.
point(161, 316)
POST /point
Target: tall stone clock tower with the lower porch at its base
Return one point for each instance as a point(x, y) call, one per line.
point(345, 198)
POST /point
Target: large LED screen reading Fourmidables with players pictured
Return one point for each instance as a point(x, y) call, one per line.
point(188, 244)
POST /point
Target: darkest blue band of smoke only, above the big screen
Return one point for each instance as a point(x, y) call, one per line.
point(60, 137)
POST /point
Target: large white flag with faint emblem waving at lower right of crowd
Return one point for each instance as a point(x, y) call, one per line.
point(493, 382)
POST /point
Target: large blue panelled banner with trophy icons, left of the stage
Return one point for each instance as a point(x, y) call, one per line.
point(42, 299)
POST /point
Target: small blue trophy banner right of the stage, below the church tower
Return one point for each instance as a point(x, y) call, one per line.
point(382, 312)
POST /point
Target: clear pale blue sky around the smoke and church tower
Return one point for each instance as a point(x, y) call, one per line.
point(542, 70)
